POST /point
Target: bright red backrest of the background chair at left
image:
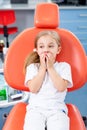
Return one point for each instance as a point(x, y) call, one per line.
point(7, 17)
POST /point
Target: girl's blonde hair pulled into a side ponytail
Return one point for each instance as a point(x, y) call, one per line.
point(33, 57)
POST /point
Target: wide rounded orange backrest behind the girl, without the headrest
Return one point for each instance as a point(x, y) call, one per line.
point(23, 44)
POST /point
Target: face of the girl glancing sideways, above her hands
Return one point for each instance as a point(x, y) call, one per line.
point(46, 45)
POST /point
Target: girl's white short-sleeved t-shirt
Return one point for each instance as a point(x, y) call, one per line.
point(48, 96)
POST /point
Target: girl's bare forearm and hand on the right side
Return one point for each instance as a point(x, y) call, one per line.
point(58, 81)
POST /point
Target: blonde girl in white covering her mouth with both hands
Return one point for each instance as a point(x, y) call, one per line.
point(47, 81)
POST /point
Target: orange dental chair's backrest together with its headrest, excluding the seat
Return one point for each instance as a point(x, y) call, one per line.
point(46, 15)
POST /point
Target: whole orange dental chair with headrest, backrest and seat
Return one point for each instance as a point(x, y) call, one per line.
point(46, 18)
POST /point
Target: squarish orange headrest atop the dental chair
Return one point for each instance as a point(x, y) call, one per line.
point(46, 16)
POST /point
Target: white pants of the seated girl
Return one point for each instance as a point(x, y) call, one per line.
point(38, 119)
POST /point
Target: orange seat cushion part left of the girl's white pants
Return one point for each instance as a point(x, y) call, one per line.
point(15, 119)
